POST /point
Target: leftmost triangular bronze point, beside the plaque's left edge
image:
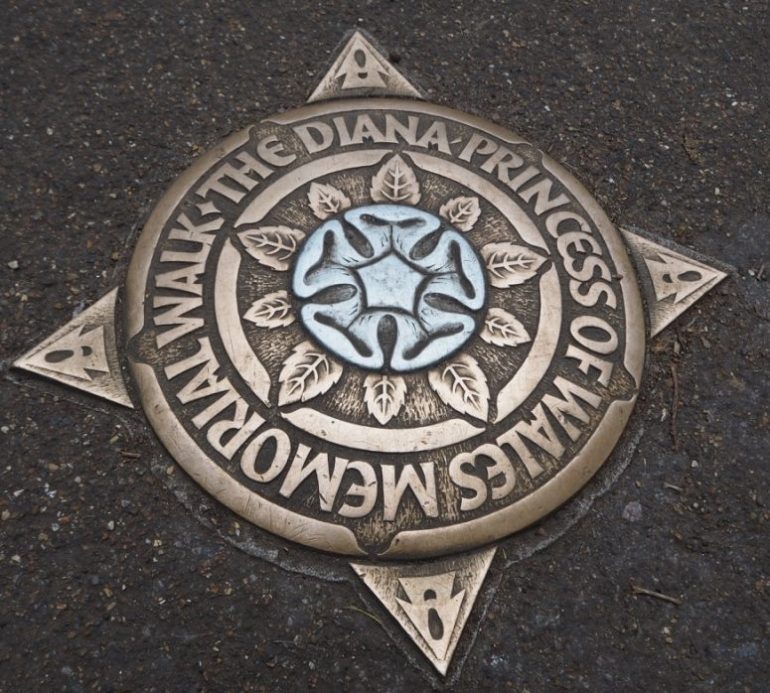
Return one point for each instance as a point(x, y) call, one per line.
point(83, 354)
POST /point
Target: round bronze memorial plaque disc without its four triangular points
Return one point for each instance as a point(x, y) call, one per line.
point(384, 327)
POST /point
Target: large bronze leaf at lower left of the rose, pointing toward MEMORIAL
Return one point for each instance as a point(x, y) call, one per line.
point(306, 373)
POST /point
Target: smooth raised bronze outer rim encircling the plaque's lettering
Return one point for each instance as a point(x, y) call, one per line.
point(336, 538)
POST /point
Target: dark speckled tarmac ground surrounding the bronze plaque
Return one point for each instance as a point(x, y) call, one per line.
point(109, 583)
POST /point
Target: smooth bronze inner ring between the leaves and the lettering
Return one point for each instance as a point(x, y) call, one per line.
point(370, 438)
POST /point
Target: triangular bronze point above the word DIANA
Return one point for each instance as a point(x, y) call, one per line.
point(361, 70)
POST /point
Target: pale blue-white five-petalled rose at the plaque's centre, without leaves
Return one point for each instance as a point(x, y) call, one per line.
point(389, 286)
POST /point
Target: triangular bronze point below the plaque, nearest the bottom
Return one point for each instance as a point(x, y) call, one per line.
point(431, 601)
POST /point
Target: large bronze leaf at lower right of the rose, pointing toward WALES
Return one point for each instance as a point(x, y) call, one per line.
point(461, 384)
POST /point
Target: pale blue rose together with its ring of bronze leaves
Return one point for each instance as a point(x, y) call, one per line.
point(392, 289)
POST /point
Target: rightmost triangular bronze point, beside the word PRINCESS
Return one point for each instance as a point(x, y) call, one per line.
point(675, 279)
